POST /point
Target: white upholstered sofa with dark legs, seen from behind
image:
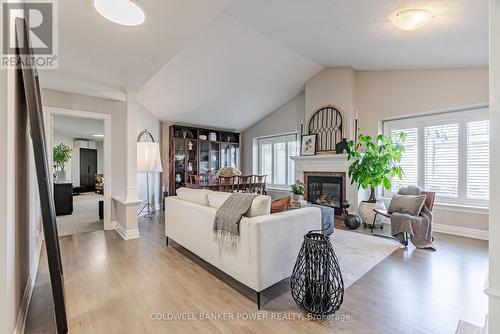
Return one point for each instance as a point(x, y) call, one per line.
point(268, 243)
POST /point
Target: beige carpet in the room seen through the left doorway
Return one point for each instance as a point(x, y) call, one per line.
point(85, 217)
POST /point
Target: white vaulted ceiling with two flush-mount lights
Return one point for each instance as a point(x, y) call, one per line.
point(228, 63)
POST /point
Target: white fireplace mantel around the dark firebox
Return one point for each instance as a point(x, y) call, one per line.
point(330, 163)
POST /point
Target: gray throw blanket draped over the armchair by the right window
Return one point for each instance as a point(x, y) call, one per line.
point(418, 227)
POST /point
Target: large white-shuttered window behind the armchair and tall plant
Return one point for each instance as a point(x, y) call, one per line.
point(447, 154)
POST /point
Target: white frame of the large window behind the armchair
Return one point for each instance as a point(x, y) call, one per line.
point(460, 117)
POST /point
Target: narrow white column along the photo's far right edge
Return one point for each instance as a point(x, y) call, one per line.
point(493, 287)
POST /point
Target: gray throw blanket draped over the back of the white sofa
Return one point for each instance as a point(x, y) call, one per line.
point(228, 216)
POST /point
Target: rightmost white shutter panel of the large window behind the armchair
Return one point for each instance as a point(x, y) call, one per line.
point(478, 160)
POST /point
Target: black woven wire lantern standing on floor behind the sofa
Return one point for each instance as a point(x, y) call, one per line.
point(316, 284)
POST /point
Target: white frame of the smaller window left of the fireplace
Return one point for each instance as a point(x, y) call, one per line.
point(284, 138)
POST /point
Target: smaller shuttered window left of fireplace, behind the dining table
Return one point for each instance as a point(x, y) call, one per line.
point(274, 159)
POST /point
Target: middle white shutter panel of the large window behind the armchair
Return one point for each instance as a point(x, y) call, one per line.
point(441, 160)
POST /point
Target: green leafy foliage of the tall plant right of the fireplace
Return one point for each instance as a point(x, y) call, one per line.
point(373, 161)
